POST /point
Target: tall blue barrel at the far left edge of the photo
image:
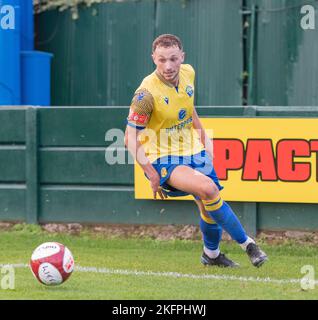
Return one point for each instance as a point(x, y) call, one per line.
point(10, 52)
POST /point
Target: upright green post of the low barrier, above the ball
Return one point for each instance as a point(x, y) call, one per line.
point(31, 165)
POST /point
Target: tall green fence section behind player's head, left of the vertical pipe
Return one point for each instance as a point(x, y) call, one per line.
point(101, 58)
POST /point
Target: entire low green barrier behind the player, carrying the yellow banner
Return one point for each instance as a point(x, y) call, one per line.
point(53, 169)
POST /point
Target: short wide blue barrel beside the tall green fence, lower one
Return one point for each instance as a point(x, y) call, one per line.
point(36, 78)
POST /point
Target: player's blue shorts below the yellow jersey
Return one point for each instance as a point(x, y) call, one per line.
point(201, 162)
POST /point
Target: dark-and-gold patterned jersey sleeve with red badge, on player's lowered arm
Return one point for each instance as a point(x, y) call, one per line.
point(141, 108)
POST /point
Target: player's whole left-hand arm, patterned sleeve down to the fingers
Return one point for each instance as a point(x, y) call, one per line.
point(139, 115)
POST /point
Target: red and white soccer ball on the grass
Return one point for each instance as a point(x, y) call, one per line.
point(52, 263)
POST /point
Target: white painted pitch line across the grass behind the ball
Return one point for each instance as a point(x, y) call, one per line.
point(174, 274)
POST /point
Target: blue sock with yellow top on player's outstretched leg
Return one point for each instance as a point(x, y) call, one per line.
point(224, 216)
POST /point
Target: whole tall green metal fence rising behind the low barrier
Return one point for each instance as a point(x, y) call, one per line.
point(244, 51)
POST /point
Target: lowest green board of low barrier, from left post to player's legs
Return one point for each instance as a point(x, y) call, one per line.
point(112, 205)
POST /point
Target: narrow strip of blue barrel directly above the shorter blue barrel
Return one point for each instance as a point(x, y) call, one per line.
point(27, 25)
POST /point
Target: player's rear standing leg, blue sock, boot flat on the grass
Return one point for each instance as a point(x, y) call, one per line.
point(212, 235)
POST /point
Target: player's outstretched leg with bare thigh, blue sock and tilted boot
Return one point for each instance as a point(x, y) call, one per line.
point(189, 180)
